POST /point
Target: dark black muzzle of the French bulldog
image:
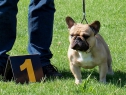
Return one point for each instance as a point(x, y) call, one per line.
point(80, 45)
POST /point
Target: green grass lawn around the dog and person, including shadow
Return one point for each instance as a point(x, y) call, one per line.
point(112, 16)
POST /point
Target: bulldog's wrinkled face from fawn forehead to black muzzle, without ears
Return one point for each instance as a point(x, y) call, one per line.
point(78, 38)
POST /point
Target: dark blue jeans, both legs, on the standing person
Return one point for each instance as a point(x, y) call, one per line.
point(40, 28)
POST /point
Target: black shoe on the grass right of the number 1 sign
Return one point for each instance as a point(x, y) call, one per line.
point(51, 71)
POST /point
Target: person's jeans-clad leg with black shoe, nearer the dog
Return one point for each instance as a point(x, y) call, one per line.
point(40, 24)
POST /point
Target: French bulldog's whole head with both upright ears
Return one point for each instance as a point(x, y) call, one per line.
point(82, 37)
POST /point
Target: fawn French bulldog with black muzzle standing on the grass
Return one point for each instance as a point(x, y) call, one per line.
point(87, 49)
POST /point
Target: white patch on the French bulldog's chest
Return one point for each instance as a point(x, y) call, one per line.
point(85, 59)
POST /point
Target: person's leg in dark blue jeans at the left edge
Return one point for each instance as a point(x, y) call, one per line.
point(8, 11)
